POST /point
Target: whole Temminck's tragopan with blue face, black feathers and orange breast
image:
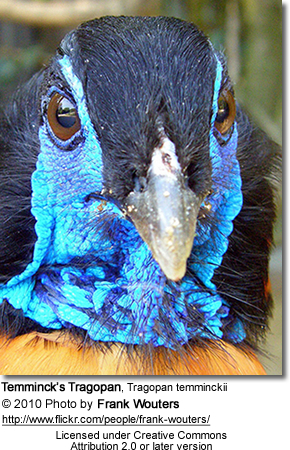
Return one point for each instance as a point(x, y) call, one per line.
point(137, 206)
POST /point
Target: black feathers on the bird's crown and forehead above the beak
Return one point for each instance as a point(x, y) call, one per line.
point(143, 70)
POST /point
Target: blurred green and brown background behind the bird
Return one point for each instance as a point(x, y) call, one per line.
point(249, 32)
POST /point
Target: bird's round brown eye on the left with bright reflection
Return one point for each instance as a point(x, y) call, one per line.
point(63, 117)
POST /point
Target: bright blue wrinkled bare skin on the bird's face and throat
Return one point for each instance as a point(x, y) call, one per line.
point(92, 270)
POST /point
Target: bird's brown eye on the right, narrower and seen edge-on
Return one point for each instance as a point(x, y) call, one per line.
point(226, 112)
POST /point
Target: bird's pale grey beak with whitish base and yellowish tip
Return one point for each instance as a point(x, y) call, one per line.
point(165, 212)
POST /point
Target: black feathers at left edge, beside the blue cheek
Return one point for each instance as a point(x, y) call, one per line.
point(19, 148)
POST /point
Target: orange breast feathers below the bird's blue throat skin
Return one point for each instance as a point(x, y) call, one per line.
point(58, 354)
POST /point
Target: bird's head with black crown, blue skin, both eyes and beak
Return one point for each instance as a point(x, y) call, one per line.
point(135, 187)
